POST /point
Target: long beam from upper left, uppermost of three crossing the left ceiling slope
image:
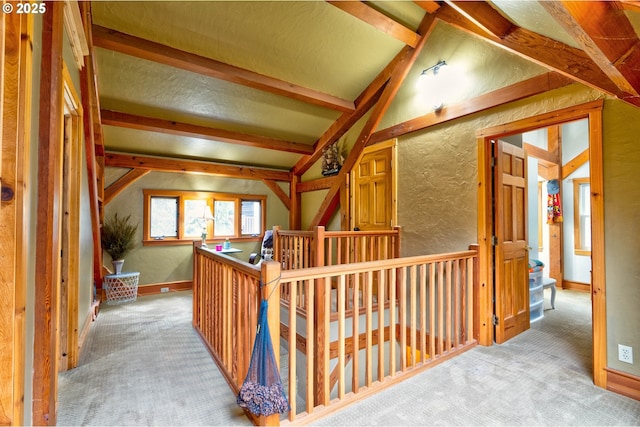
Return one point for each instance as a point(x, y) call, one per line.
point(152, 51)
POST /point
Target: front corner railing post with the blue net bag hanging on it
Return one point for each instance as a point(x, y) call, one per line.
point(270, 277)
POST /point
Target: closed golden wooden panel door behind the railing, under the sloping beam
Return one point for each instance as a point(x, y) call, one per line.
point(373, 187)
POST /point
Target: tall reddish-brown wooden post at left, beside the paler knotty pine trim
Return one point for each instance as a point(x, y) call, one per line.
point(47, 245)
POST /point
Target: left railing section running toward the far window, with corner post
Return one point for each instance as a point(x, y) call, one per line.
point(226, 298)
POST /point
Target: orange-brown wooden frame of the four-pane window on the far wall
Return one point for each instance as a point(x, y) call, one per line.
point(210, 197)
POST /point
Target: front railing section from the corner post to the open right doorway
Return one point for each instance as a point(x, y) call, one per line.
point(428, 317)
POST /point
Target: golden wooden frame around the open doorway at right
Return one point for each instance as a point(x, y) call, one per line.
point(593, 112)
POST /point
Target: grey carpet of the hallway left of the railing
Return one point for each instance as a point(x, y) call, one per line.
point(145, 365)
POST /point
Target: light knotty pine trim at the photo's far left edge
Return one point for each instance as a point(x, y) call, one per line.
point(15, 109)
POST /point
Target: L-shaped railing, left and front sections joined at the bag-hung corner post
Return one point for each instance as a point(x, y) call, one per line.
point(345, 346)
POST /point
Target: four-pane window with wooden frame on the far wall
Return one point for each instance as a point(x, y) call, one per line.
point(173, 217)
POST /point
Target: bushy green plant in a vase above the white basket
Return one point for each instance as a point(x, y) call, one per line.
point(118, 238)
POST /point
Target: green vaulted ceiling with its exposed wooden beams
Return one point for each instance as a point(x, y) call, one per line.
point(259, 88)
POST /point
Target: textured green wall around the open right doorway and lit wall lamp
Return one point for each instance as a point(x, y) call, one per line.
point(437, 175)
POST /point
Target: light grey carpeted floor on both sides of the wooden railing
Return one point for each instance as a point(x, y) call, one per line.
point(144, 365)
